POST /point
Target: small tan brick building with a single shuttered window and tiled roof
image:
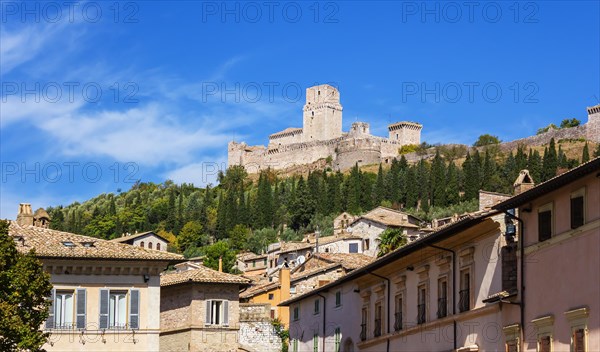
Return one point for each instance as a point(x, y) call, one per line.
point(199, 310)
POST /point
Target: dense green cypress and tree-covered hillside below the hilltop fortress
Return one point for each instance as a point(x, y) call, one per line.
point(248, 215)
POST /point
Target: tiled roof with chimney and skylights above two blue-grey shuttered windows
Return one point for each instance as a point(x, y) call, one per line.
point(58, 244)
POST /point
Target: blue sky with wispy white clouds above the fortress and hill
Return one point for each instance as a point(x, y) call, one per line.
point(96, 95)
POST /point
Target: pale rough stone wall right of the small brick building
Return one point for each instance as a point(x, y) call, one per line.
point(256, 331)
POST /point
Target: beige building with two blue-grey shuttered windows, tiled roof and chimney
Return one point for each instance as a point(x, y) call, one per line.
point(105, 296)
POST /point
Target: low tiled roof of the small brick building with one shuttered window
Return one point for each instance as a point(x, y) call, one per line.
point(201, 275)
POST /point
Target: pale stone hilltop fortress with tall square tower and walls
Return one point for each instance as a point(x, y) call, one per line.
point(321, 137)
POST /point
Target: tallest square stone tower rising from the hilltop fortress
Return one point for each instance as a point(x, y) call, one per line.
point(322, 114)
